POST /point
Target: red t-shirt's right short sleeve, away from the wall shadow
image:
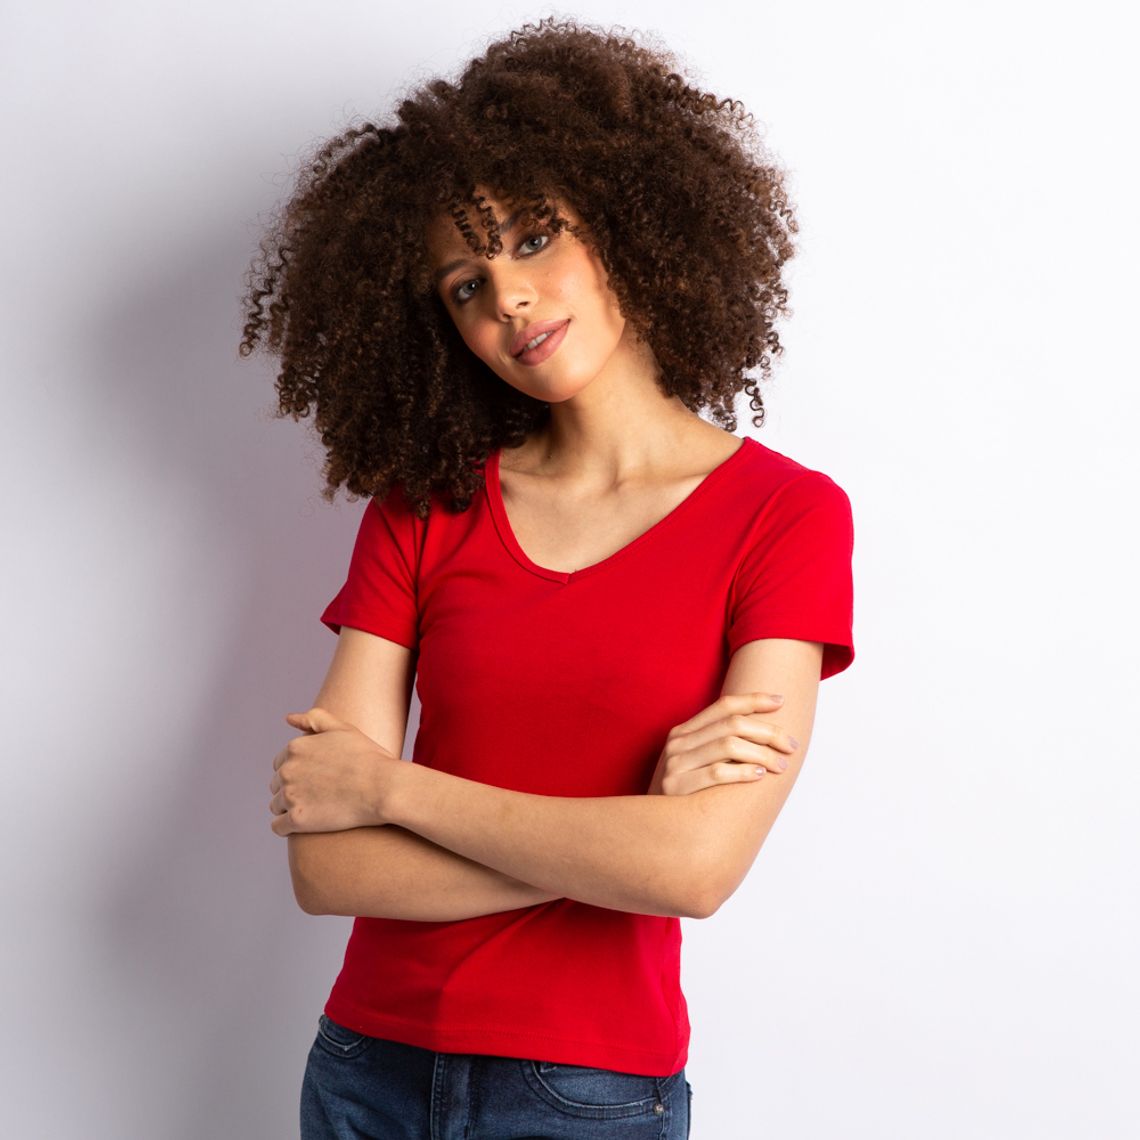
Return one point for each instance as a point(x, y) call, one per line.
point(795, 580)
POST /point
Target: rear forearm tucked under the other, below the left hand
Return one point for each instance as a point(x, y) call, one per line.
point(389, 873)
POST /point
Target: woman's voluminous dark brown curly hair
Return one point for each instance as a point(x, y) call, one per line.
point(686, 210)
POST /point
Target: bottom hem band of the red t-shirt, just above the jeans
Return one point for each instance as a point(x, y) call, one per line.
point(504, 1043)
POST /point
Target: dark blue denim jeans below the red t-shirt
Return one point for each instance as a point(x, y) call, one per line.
point(359, 1087)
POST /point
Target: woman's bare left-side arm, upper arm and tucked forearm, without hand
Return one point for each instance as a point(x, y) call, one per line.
point(386, 872)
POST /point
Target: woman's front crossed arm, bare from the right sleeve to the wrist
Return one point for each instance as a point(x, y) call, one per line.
point(681, 856)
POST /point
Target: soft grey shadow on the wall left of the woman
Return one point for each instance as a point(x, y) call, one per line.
point(214, 979)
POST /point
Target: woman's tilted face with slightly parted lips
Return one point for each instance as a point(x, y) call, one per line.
point(540, 282)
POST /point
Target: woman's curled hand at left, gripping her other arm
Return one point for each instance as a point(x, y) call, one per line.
point(332, 779)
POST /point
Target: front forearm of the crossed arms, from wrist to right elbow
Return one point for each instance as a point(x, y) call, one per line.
point(644, 854)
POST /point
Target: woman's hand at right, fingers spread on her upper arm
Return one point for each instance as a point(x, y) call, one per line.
point(728, 743)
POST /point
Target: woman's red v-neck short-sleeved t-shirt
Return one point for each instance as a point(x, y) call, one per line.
point(567, 685)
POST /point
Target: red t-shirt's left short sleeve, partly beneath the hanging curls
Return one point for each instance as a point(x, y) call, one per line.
point(380, 592)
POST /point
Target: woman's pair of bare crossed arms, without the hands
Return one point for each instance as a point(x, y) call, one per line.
point(453, 849)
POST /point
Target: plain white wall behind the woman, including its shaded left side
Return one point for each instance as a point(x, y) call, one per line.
point(940, 938)
